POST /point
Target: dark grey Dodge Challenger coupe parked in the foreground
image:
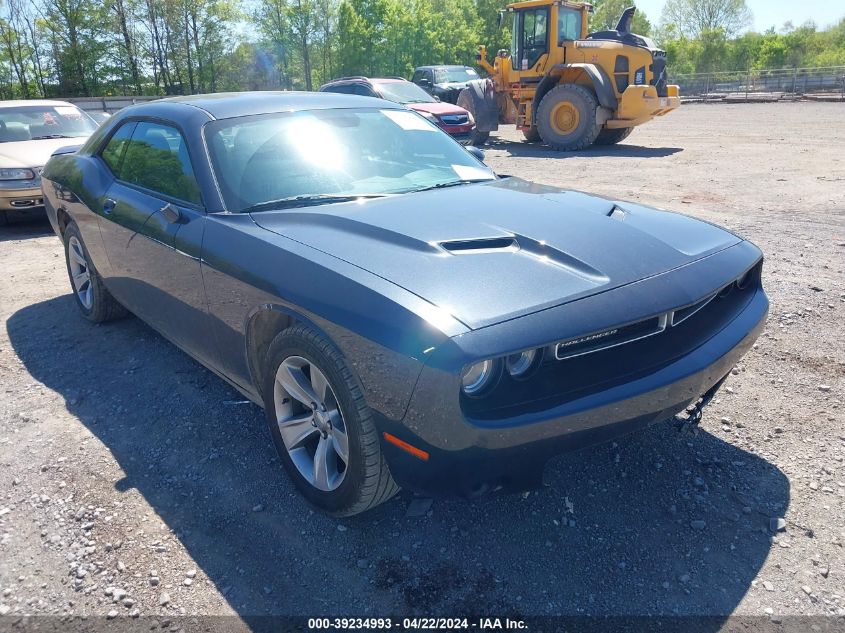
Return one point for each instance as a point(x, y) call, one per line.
point(405, 317)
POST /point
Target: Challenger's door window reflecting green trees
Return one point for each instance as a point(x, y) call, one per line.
point(157, 159)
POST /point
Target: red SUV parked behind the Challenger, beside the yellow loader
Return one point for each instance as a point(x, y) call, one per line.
point(453, 119)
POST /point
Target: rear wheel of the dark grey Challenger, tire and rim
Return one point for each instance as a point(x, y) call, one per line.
point(94, 300)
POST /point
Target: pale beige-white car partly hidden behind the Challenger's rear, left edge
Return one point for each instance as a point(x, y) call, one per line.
point(30, 131)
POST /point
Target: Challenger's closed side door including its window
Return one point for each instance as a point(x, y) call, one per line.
point(152, 224)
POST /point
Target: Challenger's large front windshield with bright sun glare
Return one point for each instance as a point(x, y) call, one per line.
point(343, 152)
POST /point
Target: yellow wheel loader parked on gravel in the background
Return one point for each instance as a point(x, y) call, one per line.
point(564, 86)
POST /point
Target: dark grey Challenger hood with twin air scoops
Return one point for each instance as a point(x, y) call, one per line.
point(493, 251)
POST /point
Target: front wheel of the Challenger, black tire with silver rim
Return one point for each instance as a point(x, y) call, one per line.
point(338, 488)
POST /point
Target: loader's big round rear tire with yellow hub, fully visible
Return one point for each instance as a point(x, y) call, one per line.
point(566, 117)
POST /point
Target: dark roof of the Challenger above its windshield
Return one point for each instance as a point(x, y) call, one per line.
point(226, 105)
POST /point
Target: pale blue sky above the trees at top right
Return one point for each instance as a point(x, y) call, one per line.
point(768, 13)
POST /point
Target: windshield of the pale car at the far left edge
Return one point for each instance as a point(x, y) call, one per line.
point(32, 122)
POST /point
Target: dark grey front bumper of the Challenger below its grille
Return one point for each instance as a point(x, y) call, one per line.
point(467, 457)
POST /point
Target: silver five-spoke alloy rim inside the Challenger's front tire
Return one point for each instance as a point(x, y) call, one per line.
point(311, 423)
